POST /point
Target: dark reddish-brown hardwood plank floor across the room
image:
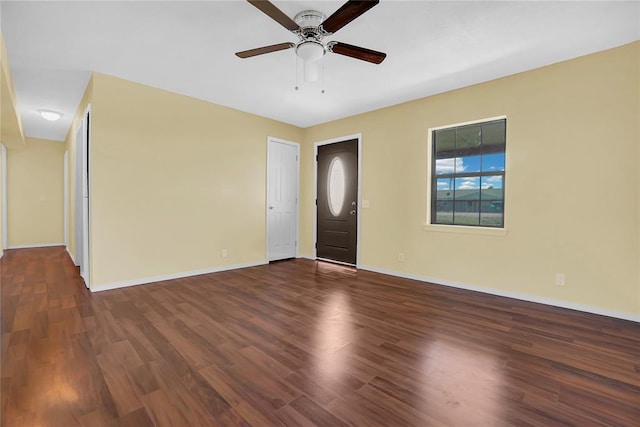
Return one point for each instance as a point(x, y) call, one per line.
point(301, 343)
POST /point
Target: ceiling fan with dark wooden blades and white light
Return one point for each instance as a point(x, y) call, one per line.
point(312, 27)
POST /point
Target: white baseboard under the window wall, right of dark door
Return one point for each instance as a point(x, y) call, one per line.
point(515, 295)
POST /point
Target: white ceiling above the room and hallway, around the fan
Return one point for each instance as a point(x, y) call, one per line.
point(188, 48)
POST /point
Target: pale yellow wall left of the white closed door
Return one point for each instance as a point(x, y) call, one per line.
point(174, 181)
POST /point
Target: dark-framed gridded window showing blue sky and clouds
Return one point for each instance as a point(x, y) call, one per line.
point(467, 174)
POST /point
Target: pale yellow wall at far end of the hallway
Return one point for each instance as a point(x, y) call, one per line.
point(35, 193)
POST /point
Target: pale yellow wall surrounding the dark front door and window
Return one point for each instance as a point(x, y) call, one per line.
point(572, 184)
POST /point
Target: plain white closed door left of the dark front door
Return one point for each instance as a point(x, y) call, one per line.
point(282, 199)
